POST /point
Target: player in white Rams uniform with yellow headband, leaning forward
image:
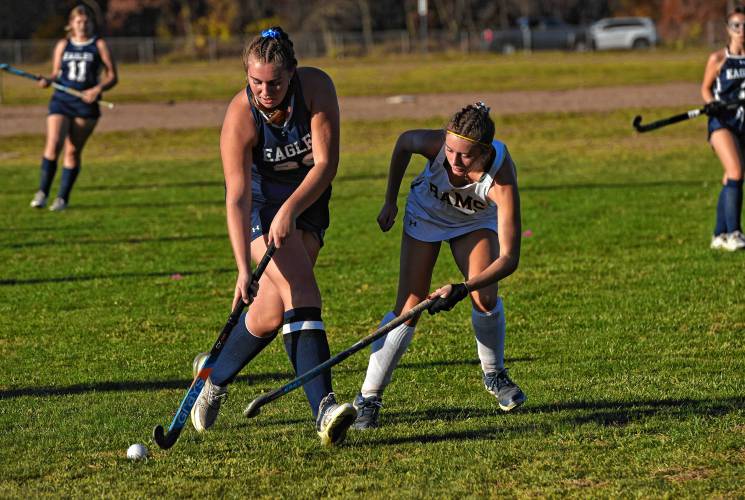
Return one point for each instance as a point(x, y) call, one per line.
point(467, 195)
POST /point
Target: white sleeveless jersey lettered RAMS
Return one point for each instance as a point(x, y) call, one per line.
point(438, 211)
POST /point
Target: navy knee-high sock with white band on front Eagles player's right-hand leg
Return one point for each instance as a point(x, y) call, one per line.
point(307, 346)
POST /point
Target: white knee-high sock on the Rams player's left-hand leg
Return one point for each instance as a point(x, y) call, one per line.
point(385, 355)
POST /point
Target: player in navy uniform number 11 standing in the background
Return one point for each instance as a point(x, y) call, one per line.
point(77, 62)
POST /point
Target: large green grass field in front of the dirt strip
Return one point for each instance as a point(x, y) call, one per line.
point(624, 329)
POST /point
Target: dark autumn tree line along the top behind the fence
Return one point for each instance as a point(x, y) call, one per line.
point(678, 20)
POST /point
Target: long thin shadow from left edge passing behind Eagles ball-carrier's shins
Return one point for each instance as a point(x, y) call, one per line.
point(150, 385)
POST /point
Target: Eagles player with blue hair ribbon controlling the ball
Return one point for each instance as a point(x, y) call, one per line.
point(280, 151)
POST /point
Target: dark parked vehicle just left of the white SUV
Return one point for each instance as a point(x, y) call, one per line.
point(537, 33)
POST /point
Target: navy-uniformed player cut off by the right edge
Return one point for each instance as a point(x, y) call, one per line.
point(724, 81)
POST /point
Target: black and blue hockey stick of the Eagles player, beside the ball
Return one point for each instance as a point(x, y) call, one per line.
point(167, 439)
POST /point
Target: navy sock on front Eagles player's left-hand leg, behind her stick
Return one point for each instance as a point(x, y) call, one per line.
point(241, 347)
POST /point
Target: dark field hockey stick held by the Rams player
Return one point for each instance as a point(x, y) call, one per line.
point(254, 407)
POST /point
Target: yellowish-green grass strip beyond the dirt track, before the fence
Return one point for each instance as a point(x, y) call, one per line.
point(398, 75)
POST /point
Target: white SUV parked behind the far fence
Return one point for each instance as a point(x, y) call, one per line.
point(623, 33)
